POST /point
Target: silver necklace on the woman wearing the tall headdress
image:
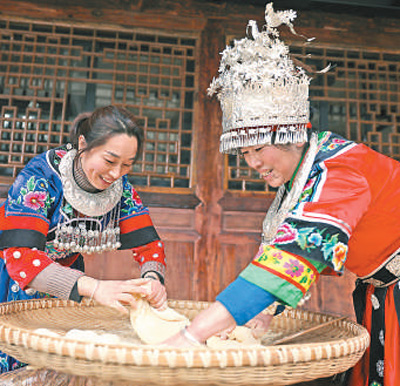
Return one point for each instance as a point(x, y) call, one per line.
point(278, 211)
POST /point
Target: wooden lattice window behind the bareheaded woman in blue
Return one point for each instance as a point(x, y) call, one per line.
point(51, 73)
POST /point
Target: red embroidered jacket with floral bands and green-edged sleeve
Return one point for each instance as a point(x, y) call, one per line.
point(347, 216)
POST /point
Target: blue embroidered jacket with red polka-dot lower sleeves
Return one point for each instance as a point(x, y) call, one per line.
point(35, 206)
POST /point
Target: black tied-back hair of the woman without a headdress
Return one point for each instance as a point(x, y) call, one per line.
point(99, 126)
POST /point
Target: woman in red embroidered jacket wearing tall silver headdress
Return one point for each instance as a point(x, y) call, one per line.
point(337, 205)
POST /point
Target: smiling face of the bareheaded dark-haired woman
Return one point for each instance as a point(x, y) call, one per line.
point(106, 163)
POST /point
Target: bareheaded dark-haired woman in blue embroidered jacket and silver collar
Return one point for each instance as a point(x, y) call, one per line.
point(76, 201)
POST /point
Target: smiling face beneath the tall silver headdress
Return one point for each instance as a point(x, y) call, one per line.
point(276, 165)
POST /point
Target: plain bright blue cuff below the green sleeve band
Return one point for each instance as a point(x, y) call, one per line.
point(244, 300)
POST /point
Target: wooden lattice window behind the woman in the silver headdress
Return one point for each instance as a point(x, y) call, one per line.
point(359, 99)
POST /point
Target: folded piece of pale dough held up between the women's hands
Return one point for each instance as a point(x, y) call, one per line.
point(155, 326)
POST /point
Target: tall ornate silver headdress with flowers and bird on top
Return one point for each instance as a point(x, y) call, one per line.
point(263, 95)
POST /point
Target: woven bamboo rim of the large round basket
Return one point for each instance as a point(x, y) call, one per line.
point(163, 356)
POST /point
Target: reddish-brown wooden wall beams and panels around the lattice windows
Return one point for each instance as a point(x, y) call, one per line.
point(210, 232)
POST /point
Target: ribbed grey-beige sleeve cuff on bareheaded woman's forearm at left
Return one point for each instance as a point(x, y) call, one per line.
point(56, 280)
